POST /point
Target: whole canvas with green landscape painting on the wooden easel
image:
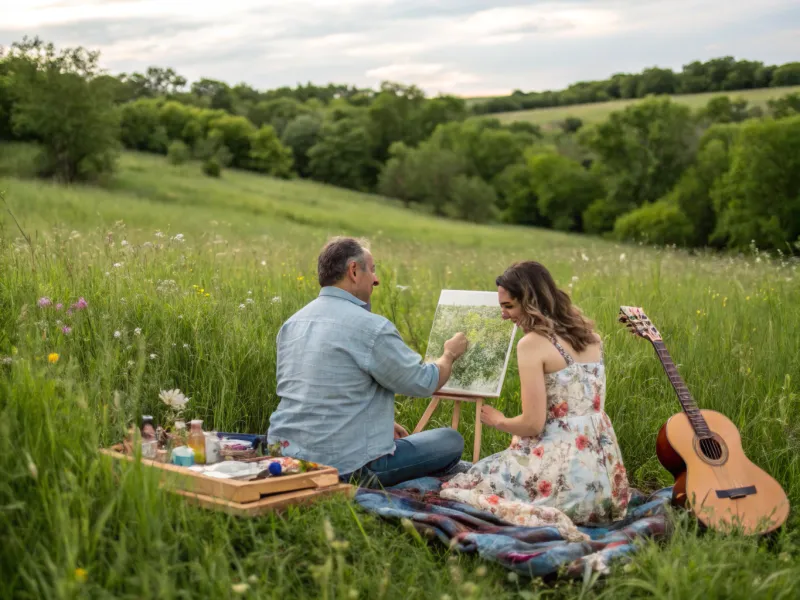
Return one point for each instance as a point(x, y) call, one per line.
point(480, 372)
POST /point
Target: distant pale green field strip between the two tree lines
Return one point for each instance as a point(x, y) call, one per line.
point(599, 111)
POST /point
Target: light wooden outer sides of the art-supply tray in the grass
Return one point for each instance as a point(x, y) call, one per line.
point(183, 479)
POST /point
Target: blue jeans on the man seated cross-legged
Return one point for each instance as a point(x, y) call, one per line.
point(428, 453)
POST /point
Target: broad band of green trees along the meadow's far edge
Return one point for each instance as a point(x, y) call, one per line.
point(725, 176)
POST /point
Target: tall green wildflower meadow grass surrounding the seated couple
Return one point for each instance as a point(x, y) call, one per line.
point(200, 312)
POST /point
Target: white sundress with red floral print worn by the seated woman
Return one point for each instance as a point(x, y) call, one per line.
point(570, 474)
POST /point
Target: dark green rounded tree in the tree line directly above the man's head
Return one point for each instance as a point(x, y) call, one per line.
point(343, 155)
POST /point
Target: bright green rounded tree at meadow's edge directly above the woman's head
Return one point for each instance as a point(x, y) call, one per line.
point(564, 189)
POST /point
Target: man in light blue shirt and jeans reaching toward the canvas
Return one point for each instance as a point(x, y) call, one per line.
point(339, 367)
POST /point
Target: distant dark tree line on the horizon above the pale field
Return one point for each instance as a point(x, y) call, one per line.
point(725, 74)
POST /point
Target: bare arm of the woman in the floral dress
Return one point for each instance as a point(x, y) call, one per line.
point(532, 390)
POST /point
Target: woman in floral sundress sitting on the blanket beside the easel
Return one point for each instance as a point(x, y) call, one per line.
point(564, 466)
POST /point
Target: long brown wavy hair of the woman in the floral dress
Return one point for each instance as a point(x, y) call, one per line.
point(546, 309)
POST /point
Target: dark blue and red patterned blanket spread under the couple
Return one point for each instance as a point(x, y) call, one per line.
point(531, 551)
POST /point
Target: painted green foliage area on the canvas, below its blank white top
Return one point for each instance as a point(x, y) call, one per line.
point(479, 370)
